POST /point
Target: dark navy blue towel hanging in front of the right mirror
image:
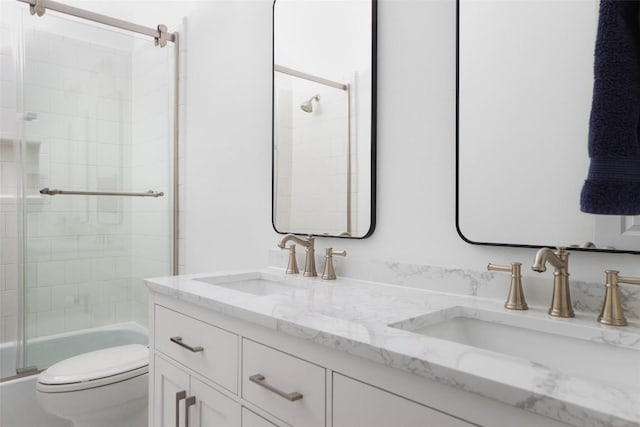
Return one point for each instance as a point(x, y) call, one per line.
point(613, 183)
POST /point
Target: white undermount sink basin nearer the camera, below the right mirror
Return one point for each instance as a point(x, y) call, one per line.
point(554, 343)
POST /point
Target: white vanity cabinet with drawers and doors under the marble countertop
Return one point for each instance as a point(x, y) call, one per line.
point(249, 374)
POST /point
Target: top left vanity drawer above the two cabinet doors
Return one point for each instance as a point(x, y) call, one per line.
point(210, 351)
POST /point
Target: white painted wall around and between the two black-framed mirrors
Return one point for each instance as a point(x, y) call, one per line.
point(228, 128)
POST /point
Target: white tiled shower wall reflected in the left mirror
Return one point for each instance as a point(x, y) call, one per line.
point(313, 172)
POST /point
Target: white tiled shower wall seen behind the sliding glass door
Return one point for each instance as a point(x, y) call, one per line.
point(85, 255)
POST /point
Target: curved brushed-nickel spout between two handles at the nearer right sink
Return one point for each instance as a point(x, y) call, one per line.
point(561, 300)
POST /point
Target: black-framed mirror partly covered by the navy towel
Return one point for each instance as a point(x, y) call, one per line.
point(524, 91)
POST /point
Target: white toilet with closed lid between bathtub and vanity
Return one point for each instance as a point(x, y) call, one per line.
point(104, 388)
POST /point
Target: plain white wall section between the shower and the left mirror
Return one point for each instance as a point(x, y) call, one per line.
point(227, 127)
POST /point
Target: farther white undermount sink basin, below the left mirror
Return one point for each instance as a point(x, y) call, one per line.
point(253, 283)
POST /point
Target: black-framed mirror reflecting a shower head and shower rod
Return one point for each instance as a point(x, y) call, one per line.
point(324, 117)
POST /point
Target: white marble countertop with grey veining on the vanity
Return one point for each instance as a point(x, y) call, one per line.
point(353, 316)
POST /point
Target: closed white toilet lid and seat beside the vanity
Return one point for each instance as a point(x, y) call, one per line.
point(95, 369)
